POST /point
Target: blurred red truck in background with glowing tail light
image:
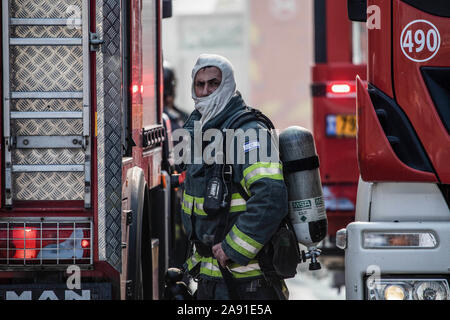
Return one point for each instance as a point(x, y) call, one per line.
point(339, 52)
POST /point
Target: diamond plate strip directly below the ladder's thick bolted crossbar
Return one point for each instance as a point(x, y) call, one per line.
point(47, 156)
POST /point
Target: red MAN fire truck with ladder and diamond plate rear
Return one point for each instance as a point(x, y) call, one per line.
point(83, 191)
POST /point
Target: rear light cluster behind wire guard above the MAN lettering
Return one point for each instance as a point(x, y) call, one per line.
point(28, 243)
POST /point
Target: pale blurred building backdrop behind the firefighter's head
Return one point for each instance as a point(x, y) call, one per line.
point(269, 42)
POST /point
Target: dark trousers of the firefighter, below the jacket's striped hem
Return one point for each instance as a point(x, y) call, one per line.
point(257, 289)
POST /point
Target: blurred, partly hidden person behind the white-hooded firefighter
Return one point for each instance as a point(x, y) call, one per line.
point(177, 116)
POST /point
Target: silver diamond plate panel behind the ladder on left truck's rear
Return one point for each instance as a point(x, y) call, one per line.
point(50, 68)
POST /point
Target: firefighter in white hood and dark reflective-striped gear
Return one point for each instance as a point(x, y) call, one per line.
point(253, 219)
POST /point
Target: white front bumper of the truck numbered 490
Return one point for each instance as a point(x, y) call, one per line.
point(361, 262)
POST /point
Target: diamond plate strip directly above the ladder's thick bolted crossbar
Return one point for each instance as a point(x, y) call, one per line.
point(47, 127)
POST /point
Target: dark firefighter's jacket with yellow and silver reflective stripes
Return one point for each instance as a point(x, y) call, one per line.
point(251, 223)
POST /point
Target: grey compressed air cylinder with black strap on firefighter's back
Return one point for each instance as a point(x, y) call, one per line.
point(301, 174)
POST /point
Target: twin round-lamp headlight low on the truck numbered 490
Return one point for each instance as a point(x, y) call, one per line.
point(407, 289)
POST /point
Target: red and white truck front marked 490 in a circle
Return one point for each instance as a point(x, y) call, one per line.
point(399, 246)
